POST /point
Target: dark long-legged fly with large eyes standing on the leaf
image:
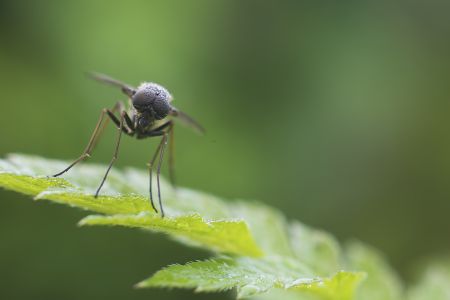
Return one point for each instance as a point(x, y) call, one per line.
point(149, 114)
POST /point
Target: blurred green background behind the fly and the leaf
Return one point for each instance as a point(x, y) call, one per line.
point(337, 113)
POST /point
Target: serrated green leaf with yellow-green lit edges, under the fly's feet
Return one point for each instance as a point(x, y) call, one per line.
point(259, 250)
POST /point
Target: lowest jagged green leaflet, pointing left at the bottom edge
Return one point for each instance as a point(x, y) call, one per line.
point(254, 276)
